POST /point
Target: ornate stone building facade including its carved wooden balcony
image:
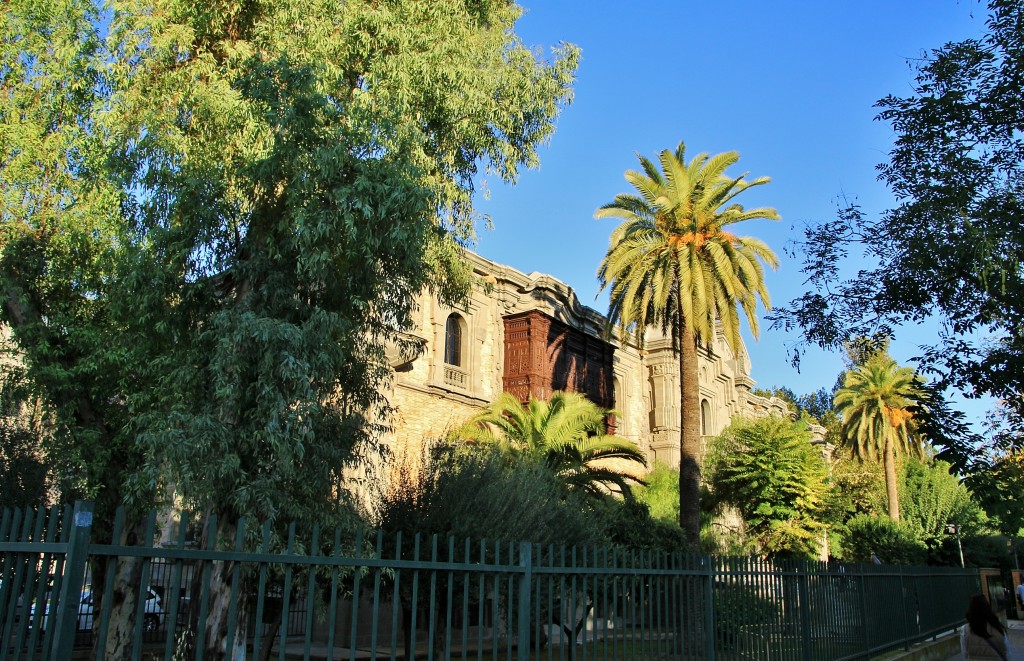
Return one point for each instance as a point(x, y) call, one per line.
point(529, 334)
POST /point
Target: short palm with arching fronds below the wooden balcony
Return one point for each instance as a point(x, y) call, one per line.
point(567, 433)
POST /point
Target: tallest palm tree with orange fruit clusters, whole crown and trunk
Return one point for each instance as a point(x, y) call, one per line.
point(671, 263)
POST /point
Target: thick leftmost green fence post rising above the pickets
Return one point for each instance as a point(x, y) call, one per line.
point(66, 616)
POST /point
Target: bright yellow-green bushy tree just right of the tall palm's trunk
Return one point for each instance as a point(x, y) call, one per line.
point(770, 471)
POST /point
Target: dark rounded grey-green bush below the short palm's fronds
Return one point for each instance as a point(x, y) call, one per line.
point(482, 496)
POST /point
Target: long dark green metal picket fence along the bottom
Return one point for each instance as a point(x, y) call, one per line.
point(372, 596)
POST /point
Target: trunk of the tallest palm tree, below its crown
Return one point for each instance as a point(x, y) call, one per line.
point(690, 443)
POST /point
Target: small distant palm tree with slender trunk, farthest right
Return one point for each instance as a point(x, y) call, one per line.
point(875, 405)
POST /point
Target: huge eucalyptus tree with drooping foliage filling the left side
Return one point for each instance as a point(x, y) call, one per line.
point(216, 214)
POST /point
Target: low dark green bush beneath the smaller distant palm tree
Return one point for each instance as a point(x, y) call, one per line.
point(892, 542)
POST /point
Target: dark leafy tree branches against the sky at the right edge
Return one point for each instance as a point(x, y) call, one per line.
point(954, 246)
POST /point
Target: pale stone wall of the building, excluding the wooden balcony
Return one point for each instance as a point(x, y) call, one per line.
point(433, 398)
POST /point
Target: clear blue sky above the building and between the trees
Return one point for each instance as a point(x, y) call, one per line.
point(790, 85)
